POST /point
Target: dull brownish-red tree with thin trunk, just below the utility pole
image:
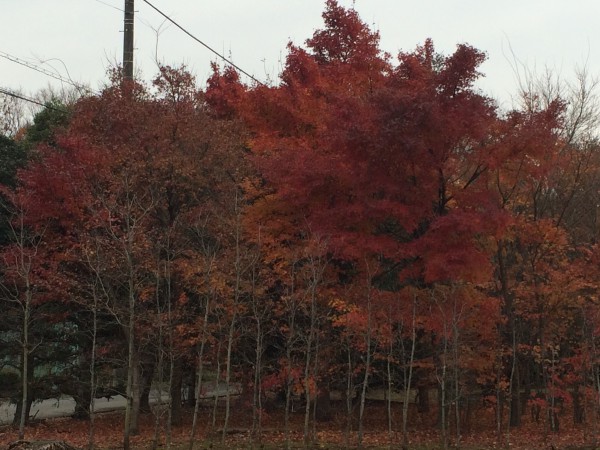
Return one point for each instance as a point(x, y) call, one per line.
point(127, 174)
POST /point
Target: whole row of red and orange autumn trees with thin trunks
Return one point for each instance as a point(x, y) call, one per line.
point(368, 222)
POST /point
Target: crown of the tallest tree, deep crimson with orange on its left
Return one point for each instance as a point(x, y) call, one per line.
point(343, 116)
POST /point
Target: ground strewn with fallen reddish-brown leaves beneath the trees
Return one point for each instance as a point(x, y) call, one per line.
point(424, 434)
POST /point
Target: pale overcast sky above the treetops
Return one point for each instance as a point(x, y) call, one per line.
point(84, 37)
